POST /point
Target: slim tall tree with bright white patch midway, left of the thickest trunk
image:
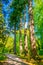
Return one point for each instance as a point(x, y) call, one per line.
point(25, 34)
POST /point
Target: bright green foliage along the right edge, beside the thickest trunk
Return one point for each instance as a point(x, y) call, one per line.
point(38, 20)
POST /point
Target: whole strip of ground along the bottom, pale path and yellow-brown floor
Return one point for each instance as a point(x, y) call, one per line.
point(14, 60)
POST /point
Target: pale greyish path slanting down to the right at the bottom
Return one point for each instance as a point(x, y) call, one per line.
point(15, 60)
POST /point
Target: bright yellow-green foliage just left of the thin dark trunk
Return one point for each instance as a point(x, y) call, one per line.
point(9, 45)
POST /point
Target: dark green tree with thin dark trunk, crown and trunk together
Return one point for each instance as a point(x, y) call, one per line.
point(18, 7)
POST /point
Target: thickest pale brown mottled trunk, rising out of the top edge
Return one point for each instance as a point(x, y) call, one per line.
point(32, 38)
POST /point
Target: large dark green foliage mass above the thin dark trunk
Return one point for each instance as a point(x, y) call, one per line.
point(18, 6)
